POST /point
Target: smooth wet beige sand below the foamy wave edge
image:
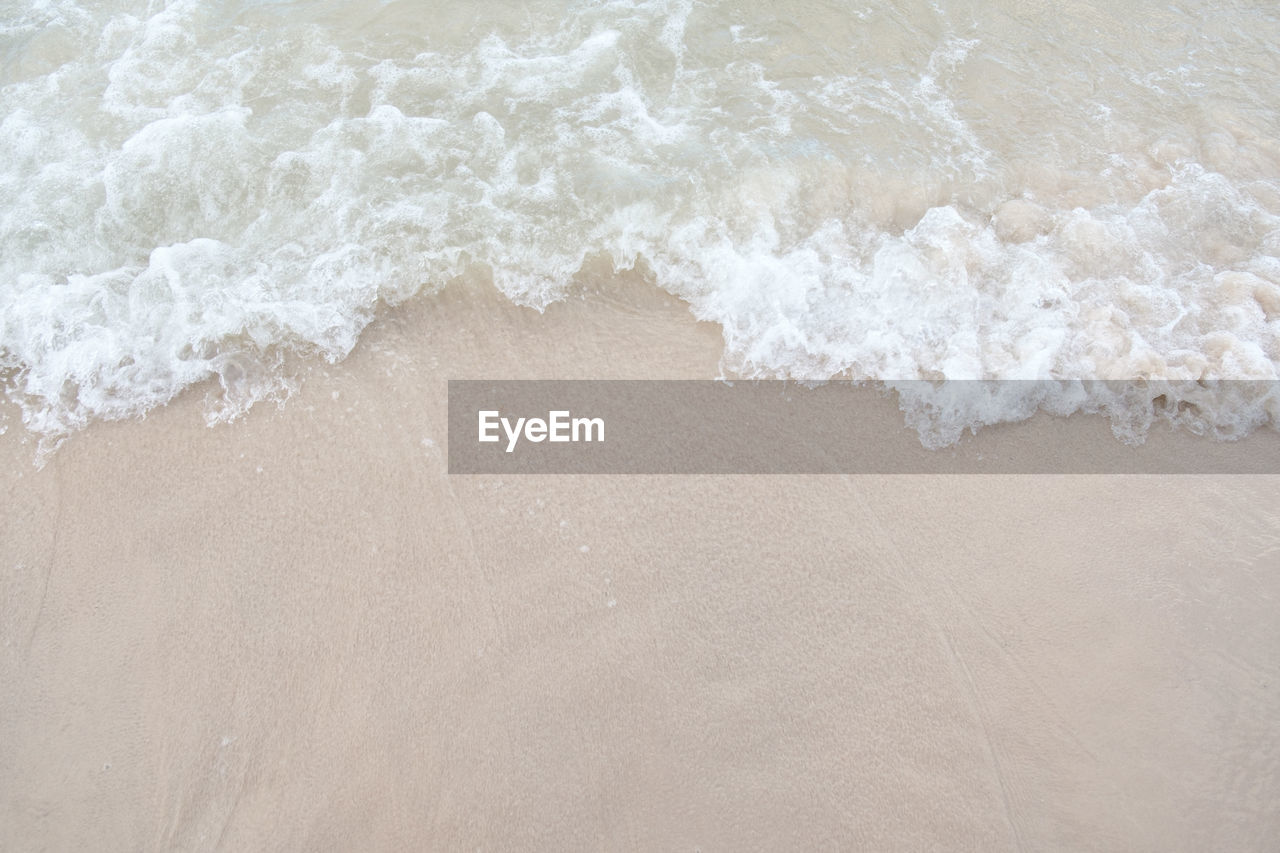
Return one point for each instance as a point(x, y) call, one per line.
point(296, 632)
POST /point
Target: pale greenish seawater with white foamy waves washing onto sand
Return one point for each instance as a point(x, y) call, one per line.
point(893, 191)
